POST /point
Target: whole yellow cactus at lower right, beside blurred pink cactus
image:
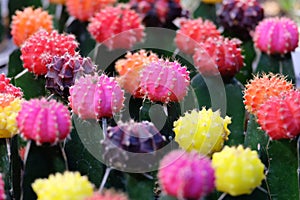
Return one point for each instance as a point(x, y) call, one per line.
point(238, 171)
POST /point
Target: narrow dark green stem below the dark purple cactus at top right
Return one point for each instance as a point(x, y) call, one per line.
point(249, 53)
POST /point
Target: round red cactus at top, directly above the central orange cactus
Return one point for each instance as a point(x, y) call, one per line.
point(117, 27)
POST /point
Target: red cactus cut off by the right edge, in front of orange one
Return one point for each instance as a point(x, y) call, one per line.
point(279, 116)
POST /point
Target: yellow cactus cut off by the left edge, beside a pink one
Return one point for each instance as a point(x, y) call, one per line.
point(9, 108)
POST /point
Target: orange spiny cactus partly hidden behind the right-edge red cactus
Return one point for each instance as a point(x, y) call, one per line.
point(259, 89)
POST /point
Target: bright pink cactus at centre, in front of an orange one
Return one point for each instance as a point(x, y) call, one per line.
point(164, 81)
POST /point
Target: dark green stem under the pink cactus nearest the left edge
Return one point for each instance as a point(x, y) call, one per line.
point(41, 161)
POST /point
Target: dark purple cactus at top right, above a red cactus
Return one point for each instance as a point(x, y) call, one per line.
point(239, 17)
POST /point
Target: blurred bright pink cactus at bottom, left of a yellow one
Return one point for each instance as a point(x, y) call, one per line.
point(186, 175)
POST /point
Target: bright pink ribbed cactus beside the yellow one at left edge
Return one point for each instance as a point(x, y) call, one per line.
point(44, 121)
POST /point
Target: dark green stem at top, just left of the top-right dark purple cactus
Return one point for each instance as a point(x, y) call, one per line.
point(206, 11)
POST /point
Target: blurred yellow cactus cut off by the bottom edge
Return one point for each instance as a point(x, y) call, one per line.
point(70, 185)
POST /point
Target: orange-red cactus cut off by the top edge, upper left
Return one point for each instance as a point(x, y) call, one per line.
point(84, 10)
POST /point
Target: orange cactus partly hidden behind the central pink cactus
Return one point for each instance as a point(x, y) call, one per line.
point(129, 70)
